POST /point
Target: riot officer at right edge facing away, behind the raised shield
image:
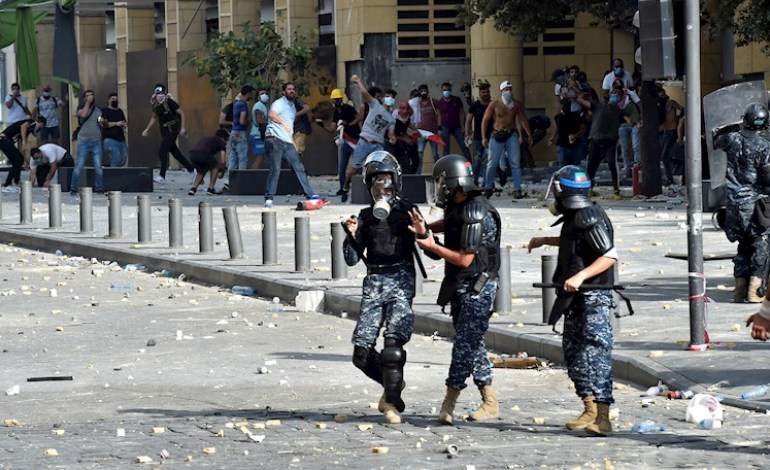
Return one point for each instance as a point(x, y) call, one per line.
point(747, 181)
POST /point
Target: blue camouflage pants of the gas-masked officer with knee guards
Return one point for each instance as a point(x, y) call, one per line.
point(386, 302)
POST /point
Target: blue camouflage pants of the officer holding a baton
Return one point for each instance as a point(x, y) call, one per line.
point(587, 344)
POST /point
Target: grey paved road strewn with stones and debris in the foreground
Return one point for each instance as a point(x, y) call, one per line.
point(202, 387)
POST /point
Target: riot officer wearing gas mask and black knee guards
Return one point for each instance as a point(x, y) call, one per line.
point(380, 237)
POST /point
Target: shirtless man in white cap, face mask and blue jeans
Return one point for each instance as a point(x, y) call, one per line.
point(509, 121)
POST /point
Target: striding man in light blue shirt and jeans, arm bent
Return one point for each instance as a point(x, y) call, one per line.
point(279, 144)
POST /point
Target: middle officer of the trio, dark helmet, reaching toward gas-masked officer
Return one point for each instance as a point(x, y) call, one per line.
point(471, 251)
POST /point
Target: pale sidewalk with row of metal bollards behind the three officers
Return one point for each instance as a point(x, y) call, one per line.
point(649, 346)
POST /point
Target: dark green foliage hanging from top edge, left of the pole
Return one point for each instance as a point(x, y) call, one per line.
point(528, 18)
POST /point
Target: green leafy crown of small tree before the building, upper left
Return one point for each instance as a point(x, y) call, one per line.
point(258, 58)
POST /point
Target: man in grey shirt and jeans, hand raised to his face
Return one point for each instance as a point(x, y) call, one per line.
point(89, 138)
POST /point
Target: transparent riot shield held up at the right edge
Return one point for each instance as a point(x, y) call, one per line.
point(723, 109)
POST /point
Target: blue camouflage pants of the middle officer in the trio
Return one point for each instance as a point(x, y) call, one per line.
point(470, 316)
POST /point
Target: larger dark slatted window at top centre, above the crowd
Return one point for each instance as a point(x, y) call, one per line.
point(428, 29)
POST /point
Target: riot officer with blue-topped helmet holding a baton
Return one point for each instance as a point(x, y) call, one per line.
point(586, 257)
